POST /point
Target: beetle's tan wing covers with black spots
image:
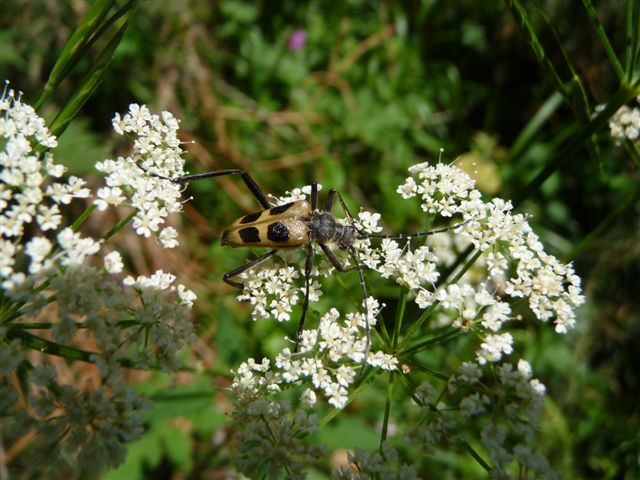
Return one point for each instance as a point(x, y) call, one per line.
point(281, 227)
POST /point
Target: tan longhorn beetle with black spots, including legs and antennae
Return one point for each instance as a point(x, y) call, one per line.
point(293, 225)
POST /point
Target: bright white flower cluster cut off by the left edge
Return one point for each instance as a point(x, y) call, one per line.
point(25, 195)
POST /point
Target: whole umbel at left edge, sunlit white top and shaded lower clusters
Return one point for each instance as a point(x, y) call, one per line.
point(140, 322)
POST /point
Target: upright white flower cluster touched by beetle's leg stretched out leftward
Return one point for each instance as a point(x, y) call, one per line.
point(156, 150)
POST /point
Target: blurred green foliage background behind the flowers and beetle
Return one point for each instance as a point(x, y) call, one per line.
point(376, 87)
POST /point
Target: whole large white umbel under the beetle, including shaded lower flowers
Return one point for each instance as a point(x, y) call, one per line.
point(510, 264)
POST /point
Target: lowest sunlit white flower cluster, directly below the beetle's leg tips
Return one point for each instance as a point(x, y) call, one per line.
point(329, 359)
